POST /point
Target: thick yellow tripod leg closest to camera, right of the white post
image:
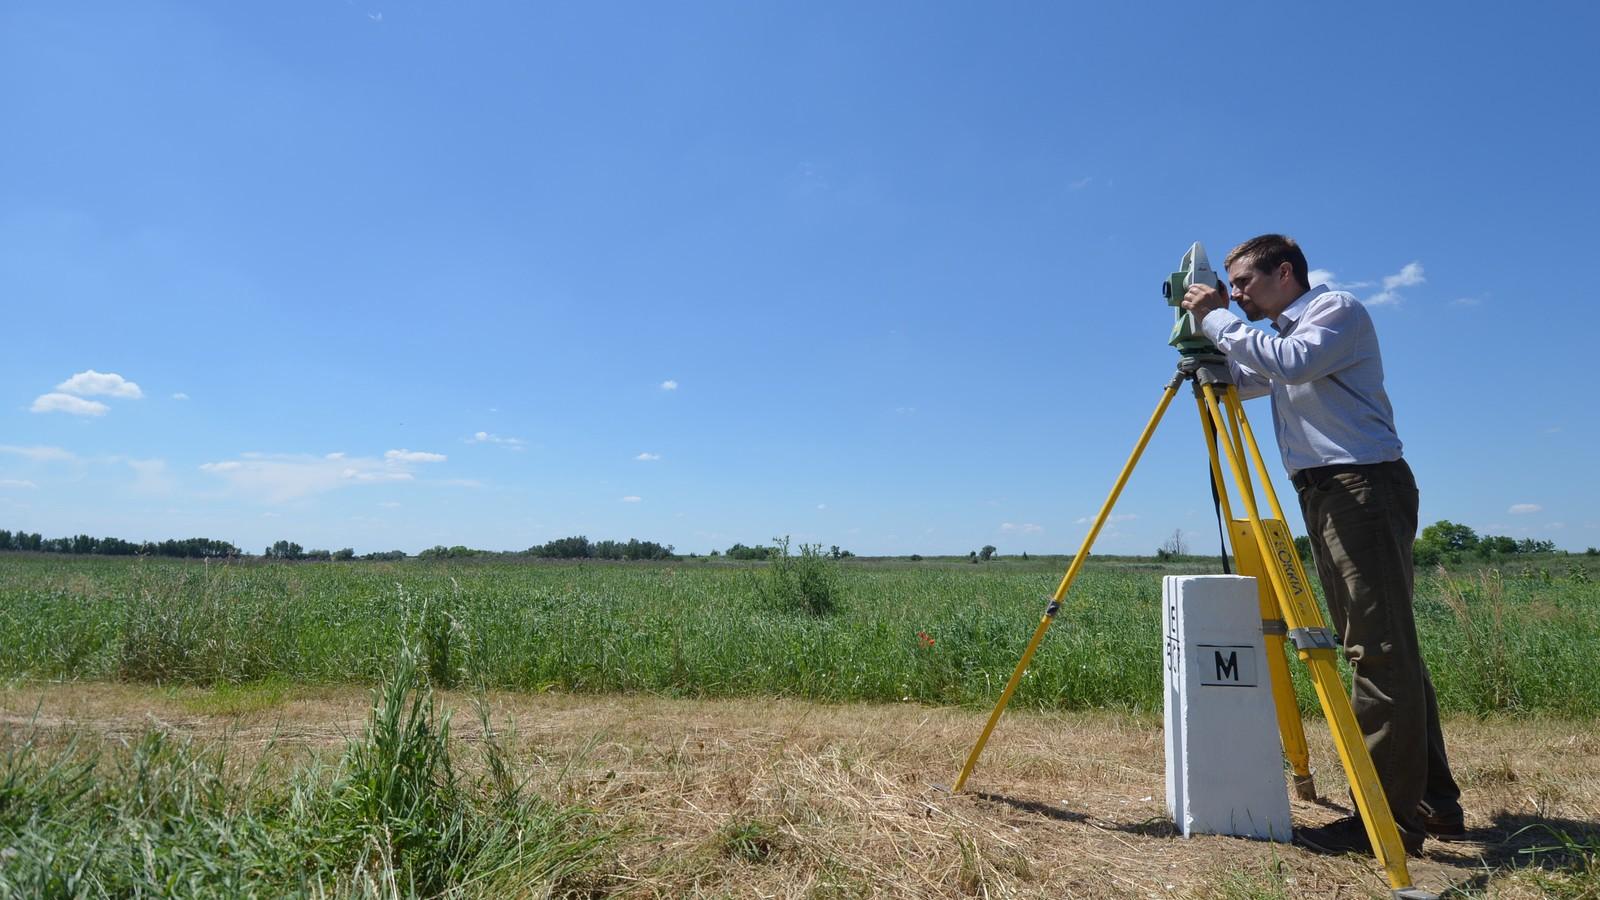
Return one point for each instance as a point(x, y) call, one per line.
point(1316, 648)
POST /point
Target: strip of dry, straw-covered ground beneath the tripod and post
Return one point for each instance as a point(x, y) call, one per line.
point(769, 798)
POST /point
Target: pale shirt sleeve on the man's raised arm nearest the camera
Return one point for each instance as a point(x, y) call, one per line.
point(1324, 342)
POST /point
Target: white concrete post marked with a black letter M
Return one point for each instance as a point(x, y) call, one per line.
point(1225, 760)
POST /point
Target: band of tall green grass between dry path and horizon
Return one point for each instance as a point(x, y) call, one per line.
point(934, 632)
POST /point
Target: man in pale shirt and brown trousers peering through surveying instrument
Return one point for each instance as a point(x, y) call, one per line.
point(1337, 433)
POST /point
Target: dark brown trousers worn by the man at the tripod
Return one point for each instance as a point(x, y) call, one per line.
point(1362, 526)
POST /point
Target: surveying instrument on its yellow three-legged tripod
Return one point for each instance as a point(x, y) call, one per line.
point(1265, 550)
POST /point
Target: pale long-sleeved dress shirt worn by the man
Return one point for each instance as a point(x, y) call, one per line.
point(1326, 377)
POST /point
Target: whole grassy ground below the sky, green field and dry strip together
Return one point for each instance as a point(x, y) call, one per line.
point(212, 737)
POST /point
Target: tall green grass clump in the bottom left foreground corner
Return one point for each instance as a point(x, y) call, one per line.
point(396, 818)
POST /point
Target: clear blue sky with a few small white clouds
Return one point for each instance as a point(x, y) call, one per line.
point(870, 275)
